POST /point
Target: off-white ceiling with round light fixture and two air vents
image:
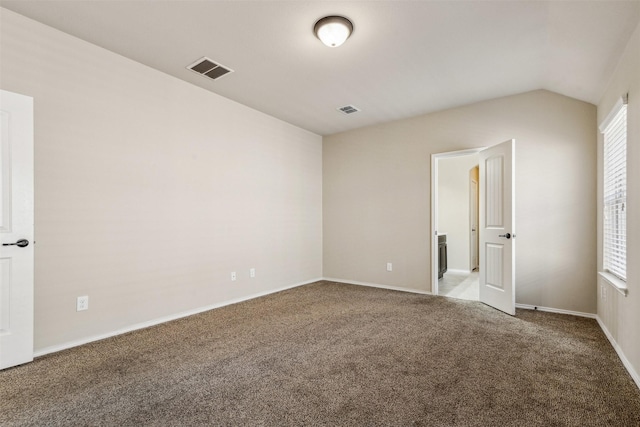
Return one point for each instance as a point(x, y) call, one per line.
point(404, 58)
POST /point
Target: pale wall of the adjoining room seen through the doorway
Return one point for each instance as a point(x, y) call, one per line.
point(454, 209)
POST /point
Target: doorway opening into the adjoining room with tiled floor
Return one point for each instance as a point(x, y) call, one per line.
point(454, 216)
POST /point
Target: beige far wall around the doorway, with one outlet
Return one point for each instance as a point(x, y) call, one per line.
point(377, 195)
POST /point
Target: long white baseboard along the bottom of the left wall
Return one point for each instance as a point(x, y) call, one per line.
point(87, 340)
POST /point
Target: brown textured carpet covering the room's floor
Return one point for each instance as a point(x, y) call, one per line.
point(334, 354)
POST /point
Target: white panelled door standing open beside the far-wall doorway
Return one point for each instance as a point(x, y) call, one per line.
point(497, 227)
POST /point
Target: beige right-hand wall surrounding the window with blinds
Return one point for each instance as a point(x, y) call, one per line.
point(620, 315)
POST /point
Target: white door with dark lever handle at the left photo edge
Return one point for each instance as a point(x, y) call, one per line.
point(16, 229)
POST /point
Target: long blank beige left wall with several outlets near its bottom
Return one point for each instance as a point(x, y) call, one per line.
point(150, 191)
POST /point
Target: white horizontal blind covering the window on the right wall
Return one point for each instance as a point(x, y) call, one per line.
point(615, 192)
